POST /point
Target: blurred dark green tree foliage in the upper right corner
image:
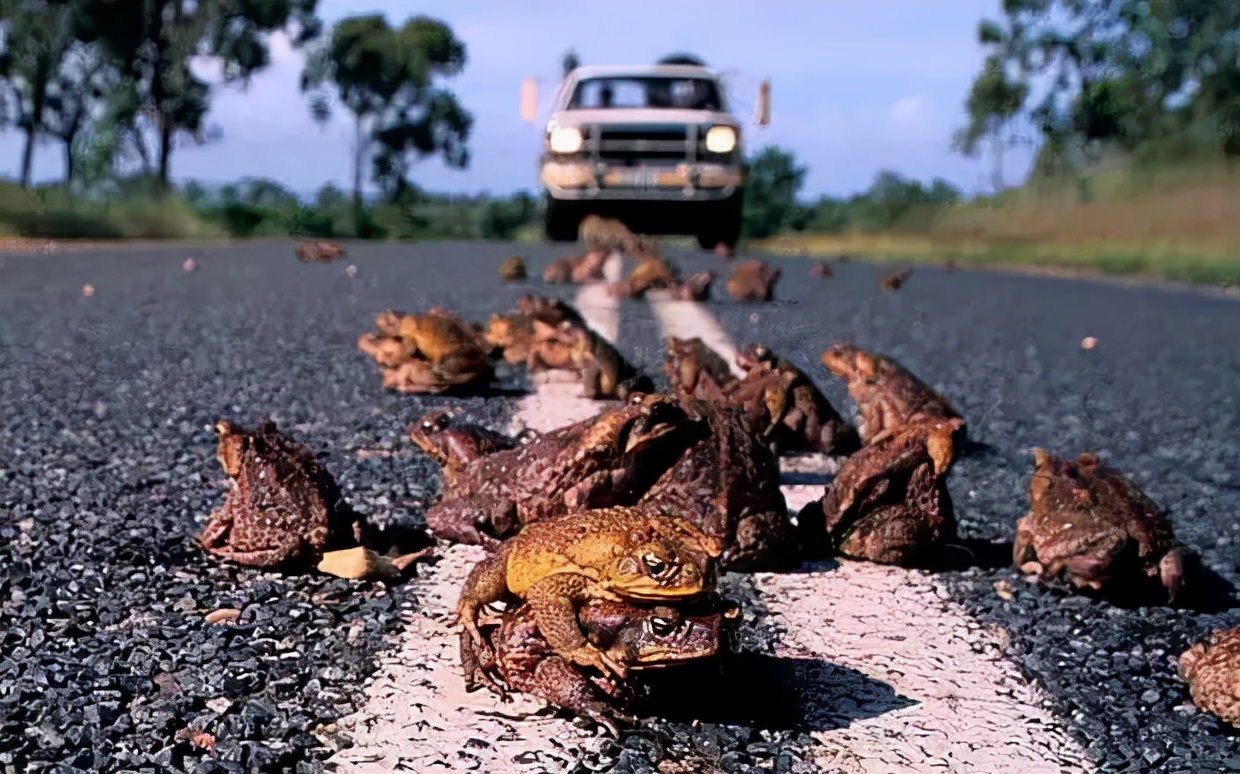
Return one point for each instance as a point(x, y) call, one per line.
point(1130, 75)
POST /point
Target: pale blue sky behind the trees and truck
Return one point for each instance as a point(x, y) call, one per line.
point(856, 87)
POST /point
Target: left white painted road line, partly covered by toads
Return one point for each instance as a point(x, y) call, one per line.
point(417, 716)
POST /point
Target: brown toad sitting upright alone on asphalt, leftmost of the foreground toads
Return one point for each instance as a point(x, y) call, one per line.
point(282, 508)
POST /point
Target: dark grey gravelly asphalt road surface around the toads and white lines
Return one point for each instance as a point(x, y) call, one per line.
point(107, 469)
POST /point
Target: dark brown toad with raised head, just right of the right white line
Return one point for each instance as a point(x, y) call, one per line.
point(890, 502)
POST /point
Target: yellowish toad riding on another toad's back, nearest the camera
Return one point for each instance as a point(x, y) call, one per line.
point(617, 554)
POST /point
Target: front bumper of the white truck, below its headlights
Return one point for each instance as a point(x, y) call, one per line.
point(598, 182)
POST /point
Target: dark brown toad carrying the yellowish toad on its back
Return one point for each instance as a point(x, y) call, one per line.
point(642, 638)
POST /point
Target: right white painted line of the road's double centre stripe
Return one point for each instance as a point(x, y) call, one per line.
point(974, 711)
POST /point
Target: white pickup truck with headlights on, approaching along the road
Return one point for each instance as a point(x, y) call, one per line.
point(654, 146)
